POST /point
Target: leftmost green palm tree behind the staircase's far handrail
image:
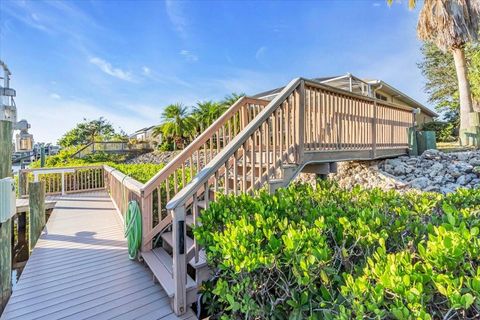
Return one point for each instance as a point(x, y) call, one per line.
point(176, 124)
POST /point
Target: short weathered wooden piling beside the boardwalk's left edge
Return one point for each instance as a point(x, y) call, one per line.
point(37, 211)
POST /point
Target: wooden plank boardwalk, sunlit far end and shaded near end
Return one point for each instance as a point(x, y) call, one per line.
point(80, 269)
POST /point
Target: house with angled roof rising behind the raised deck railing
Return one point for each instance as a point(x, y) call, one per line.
point(382, 90)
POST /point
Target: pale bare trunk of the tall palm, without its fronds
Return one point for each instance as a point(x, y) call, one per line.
point(466, 105)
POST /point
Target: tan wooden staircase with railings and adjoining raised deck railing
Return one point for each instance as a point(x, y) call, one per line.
point(256, 144)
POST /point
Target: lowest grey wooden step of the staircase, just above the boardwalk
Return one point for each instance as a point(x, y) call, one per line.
point(161, 263)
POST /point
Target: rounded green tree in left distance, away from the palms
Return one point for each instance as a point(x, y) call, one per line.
point(89, 131)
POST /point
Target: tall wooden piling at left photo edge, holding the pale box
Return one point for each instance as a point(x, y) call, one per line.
point(6, 135)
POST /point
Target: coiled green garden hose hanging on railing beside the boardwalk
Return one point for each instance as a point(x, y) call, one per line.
point(133, 229)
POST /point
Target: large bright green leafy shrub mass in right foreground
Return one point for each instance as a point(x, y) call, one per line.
point(329, 253)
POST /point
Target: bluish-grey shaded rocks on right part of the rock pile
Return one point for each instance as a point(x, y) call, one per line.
point(436, 171)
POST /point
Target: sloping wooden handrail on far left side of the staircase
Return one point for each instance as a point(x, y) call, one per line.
point(185, 154)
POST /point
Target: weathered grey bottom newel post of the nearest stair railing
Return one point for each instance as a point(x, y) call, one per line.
point(179, 260)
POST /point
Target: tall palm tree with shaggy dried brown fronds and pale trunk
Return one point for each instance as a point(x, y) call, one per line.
point(451, 24)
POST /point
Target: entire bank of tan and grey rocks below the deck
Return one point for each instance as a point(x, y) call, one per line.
point(433, 171)
